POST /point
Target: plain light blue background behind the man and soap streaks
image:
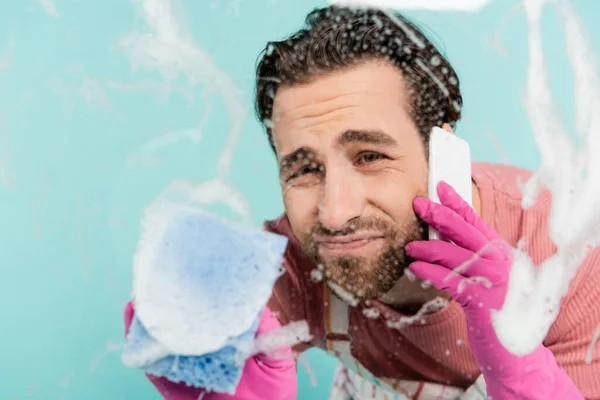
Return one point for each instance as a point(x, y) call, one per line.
point(74, 115)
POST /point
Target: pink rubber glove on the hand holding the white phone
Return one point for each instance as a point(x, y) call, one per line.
point(475, 271)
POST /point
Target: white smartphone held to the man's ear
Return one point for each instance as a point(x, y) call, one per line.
point(449, 161)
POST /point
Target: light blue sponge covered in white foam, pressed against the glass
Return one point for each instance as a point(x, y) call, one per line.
point(199, 285)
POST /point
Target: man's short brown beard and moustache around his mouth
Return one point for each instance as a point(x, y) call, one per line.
point(362, 277)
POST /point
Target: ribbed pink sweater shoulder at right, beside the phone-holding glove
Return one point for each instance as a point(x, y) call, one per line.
point(502, 185)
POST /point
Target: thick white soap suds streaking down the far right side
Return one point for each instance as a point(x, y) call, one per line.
point(569, 172)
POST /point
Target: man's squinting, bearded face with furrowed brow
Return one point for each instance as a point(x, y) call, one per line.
point(351, 162)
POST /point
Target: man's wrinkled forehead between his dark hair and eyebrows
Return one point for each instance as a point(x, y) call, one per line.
point(370, 96)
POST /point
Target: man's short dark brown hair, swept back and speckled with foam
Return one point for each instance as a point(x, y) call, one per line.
point(335, 38)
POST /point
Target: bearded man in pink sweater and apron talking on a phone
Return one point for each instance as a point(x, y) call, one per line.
point(348, 103)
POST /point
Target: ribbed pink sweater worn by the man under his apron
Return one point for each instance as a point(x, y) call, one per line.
point(437, 351)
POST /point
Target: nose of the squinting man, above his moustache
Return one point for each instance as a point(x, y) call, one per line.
point(343, 198)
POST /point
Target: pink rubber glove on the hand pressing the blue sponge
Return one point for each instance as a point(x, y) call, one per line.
point(263, 377)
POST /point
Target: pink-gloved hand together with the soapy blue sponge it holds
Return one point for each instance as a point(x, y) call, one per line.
point(200, 288)
